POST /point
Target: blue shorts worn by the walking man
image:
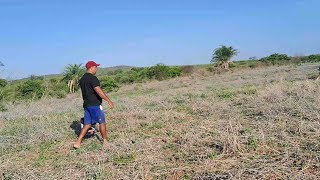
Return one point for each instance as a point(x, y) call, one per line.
point(93, 115)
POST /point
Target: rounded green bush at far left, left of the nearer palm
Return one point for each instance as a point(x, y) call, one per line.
point(30, 89)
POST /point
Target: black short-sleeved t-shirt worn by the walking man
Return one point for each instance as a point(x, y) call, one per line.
point(87, 83)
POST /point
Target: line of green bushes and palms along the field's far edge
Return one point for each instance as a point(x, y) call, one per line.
point(36, 87)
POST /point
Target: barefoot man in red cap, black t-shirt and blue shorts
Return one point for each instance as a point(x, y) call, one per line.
point(92, 96)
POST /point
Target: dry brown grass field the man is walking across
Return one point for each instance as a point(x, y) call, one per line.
point(251, 124)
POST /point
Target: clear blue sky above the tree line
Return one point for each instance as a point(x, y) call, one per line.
point(43, 36)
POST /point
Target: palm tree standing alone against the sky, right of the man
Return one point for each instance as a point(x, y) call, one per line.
point(223, 56)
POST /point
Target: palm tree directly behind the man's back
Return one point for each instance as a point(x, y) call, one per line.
point(72, 74)
